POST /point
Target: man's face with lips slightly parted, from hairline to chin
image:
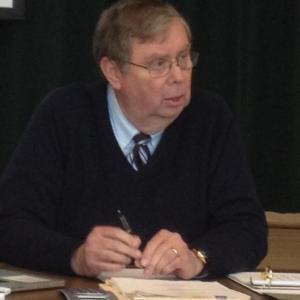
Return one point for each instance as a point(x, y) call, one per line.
point(151, 104)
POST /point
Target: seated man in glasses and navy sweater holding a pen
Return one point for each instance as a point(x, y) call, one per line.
point(142, 145)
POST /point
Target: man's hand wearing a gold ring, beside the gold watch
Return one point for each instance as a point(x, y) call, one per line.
point(167, 253)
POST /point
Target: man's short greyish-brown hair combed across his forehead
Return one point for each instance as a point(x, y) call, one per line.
point(131, 19)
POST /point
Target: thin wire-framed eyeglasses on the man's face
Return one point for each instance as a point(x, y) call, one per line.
point(162, 66)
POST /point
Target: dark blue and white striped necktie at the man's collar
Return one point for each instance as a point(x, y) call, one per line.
point(140, 153)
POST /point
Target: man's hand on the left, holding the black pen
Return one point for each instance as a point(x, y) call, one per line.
point(106, 248)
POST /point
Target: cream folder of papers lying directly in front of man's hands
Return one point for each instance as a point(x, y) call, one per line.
point(154, 289)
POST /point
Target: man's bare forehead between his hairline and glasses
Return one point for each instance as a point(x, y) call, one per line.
point(168, 42)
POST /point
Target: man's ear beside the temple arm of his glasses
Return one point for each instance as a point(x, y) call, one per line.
point(111, 71)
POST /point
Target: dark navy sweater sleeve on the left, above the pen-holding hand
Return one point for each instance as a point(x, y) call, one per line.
point(30, 193)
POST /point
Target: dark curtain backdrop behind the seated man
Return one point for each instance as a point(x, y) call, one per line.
point(250, 54)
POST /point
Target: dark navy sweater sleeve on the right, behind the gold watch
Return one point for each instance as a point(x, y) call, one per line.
point(236, 239)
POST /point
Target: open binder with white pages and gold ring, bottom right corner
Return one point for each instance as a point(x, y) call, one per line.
point(280, 286)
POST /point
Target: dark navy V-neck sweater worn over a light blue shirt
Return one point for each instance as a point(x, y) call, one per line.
point(68, 174)
